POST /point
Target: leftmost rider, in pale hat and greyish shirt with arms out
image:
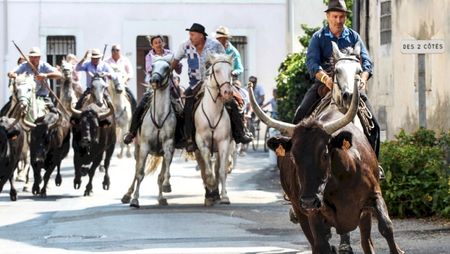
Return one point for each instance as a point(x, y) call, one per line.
point(44, 70)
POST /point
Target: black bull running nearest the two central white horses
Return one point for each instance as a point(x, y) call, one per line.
point(94, 133)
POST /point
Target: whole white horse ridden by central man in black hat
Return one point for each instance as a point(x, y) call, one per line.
point(213, 129)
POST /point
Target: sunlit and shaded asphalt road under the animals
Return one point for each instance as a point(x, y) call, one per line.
point(256, 221)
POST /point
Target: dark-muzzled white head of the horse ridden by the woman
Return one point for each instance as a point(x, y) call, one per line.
point(161, 69)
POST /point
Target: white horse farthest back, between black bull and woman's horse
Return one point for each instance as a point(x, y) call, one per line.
point(122, 106)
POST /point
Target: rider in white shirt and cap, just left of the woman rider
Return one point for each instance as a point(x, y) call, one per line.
point(123, 65)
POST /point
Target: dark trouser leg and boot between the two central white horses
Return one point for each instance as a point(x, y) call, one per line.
point(189, 128)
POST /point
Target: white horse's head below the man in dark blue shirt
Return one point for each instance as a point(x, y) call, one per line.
point(347, 68)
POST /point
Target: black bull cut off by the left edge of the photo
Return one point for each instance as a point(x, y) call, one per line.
point(11, 142)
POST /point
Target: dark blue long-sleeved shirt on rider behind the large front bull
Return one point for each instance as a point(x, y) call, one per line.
point(320, 51)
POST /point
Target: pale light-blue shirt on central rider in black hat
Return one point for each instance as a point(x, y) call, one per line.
point(197, 62)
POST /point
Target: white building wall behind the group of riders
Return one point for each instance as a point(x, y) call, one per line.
point(95, 23)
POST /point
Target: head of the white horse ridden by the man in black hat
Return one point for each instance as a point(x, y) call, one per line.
point(220, 76)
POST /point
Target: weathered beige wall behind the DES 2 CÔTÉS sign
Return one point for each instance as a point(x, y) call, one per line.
point(395, 81)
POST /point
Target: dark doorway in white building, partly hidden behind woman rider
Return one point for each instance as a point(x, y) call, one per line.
point(142, 48)
